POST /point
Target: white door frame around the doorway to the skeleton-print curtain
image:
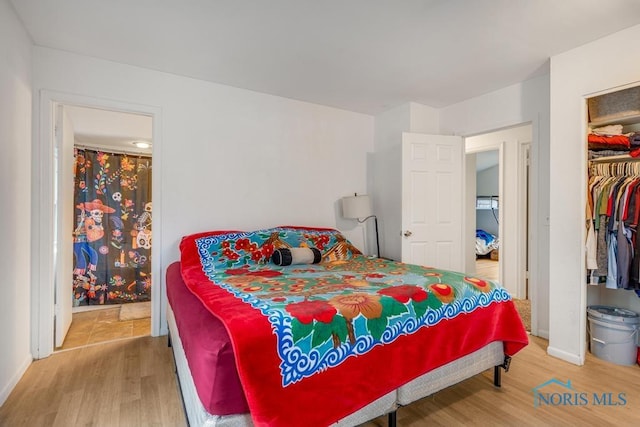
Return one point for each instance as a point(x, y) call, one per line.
point(43, 215)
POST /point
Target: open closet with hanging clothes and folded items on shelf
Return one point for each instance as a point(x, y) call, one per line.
point(613, 199)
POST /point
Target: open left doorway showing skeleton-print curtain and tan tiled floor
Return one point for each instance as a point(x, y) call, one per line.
point(103, 199)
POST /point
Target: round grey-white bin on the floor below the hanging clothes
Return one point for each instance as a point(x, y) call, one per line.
point(613, 333)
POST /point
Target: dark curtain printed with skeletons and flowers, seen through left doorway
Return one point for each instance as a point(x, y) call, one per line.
point(112, 231)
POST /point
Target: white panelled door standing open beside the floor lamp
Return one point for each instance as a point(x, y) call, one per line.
point(432, 200)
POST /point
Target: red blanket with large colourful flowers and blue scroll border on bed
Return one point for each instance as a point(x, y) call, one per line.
point(304, 335)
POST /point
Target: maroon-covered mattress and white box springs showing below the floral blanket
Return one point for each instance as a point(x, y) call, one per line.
point(211, 389)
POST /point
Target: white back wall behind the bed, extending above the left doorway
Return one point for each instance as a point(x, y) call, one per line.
point(230, 158)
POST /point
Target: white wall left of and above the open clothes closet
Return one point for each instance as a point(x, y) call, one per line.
point(576, 75)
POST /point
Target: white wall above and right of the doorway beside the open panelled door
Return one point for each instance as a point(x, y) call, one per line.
point(520, 103)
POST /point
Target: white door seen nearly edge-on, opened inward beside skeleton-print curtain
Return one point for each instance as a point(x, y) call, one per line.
point(63, 235)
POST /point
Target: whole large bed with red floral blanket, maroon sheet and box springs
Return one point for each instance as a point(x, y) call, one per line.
point(334, 339)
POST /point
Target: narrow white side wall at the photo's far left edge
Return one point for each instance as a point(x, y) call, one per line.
point(15, 214)
